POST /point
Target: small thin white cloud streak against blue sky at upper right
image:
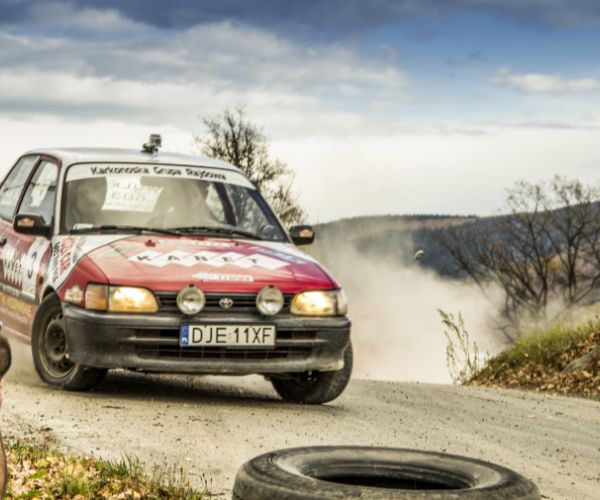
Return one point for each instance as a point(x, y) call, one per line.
point(538, 83)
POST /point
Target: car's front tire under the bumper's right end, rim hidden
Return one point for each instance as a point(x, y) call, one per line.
point(315, 387)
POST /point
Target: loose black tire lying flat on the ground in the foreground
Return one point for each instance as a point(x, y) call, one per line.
point(375, 473)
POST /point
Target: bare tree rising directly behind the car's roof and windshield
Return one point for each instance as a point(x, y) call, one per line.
point(233, 138)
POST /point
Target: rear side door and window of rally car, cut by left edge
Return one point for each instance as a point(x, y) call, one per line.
point(13, 313)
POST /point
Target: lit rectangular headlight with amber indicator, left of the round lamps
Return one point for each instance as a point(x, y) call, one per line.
point(120, 299)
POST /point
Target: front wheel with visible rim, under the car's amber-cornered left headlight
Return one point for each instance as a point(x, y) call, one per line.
point(50, 351)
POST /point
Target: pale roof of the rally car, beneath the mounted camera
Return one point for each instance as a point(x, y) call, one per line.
point(69, 156)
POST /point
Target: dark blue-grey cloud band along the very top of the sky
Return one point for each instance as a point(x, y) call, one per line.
point(309, 18)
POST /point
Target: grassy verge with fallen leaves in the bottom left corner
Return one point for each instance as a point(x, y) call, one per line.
point(38, 471)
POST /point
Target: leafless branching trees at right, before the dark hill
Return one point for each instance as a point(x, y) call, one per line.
point(546, 247)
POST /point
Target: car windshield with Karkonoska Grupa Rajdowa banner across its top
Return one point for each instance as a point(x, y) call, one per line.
point(186, 200)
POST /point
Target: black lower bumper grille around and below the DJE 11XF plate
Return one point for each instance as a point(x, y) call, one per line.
point(170, 349)
